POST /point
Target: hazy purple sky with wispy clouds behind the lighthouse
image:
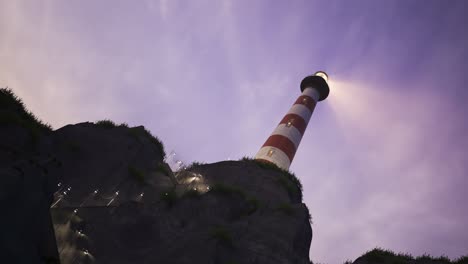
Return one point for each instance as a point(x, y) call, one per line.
point(384, 160)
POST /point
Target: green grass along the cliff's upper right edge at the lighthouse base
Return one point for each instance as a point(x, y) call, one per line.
point(287, 179)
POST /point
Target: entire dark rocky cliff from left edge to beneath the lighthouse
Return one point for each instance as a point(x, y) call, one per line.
point(113, 199)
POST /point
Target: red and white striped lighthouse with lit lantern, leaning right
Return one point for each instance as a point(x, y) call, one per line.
point(281, 146)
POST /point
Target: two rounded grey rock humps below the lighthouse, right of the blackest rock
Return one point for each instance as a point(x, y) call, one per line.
point(227, 212)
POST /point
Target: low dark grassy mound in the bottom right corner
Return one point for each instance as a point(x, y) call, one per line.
point(380, 255)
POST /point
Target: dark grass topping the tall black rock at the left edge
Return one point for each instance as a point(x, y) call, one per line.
point(13, 110)
